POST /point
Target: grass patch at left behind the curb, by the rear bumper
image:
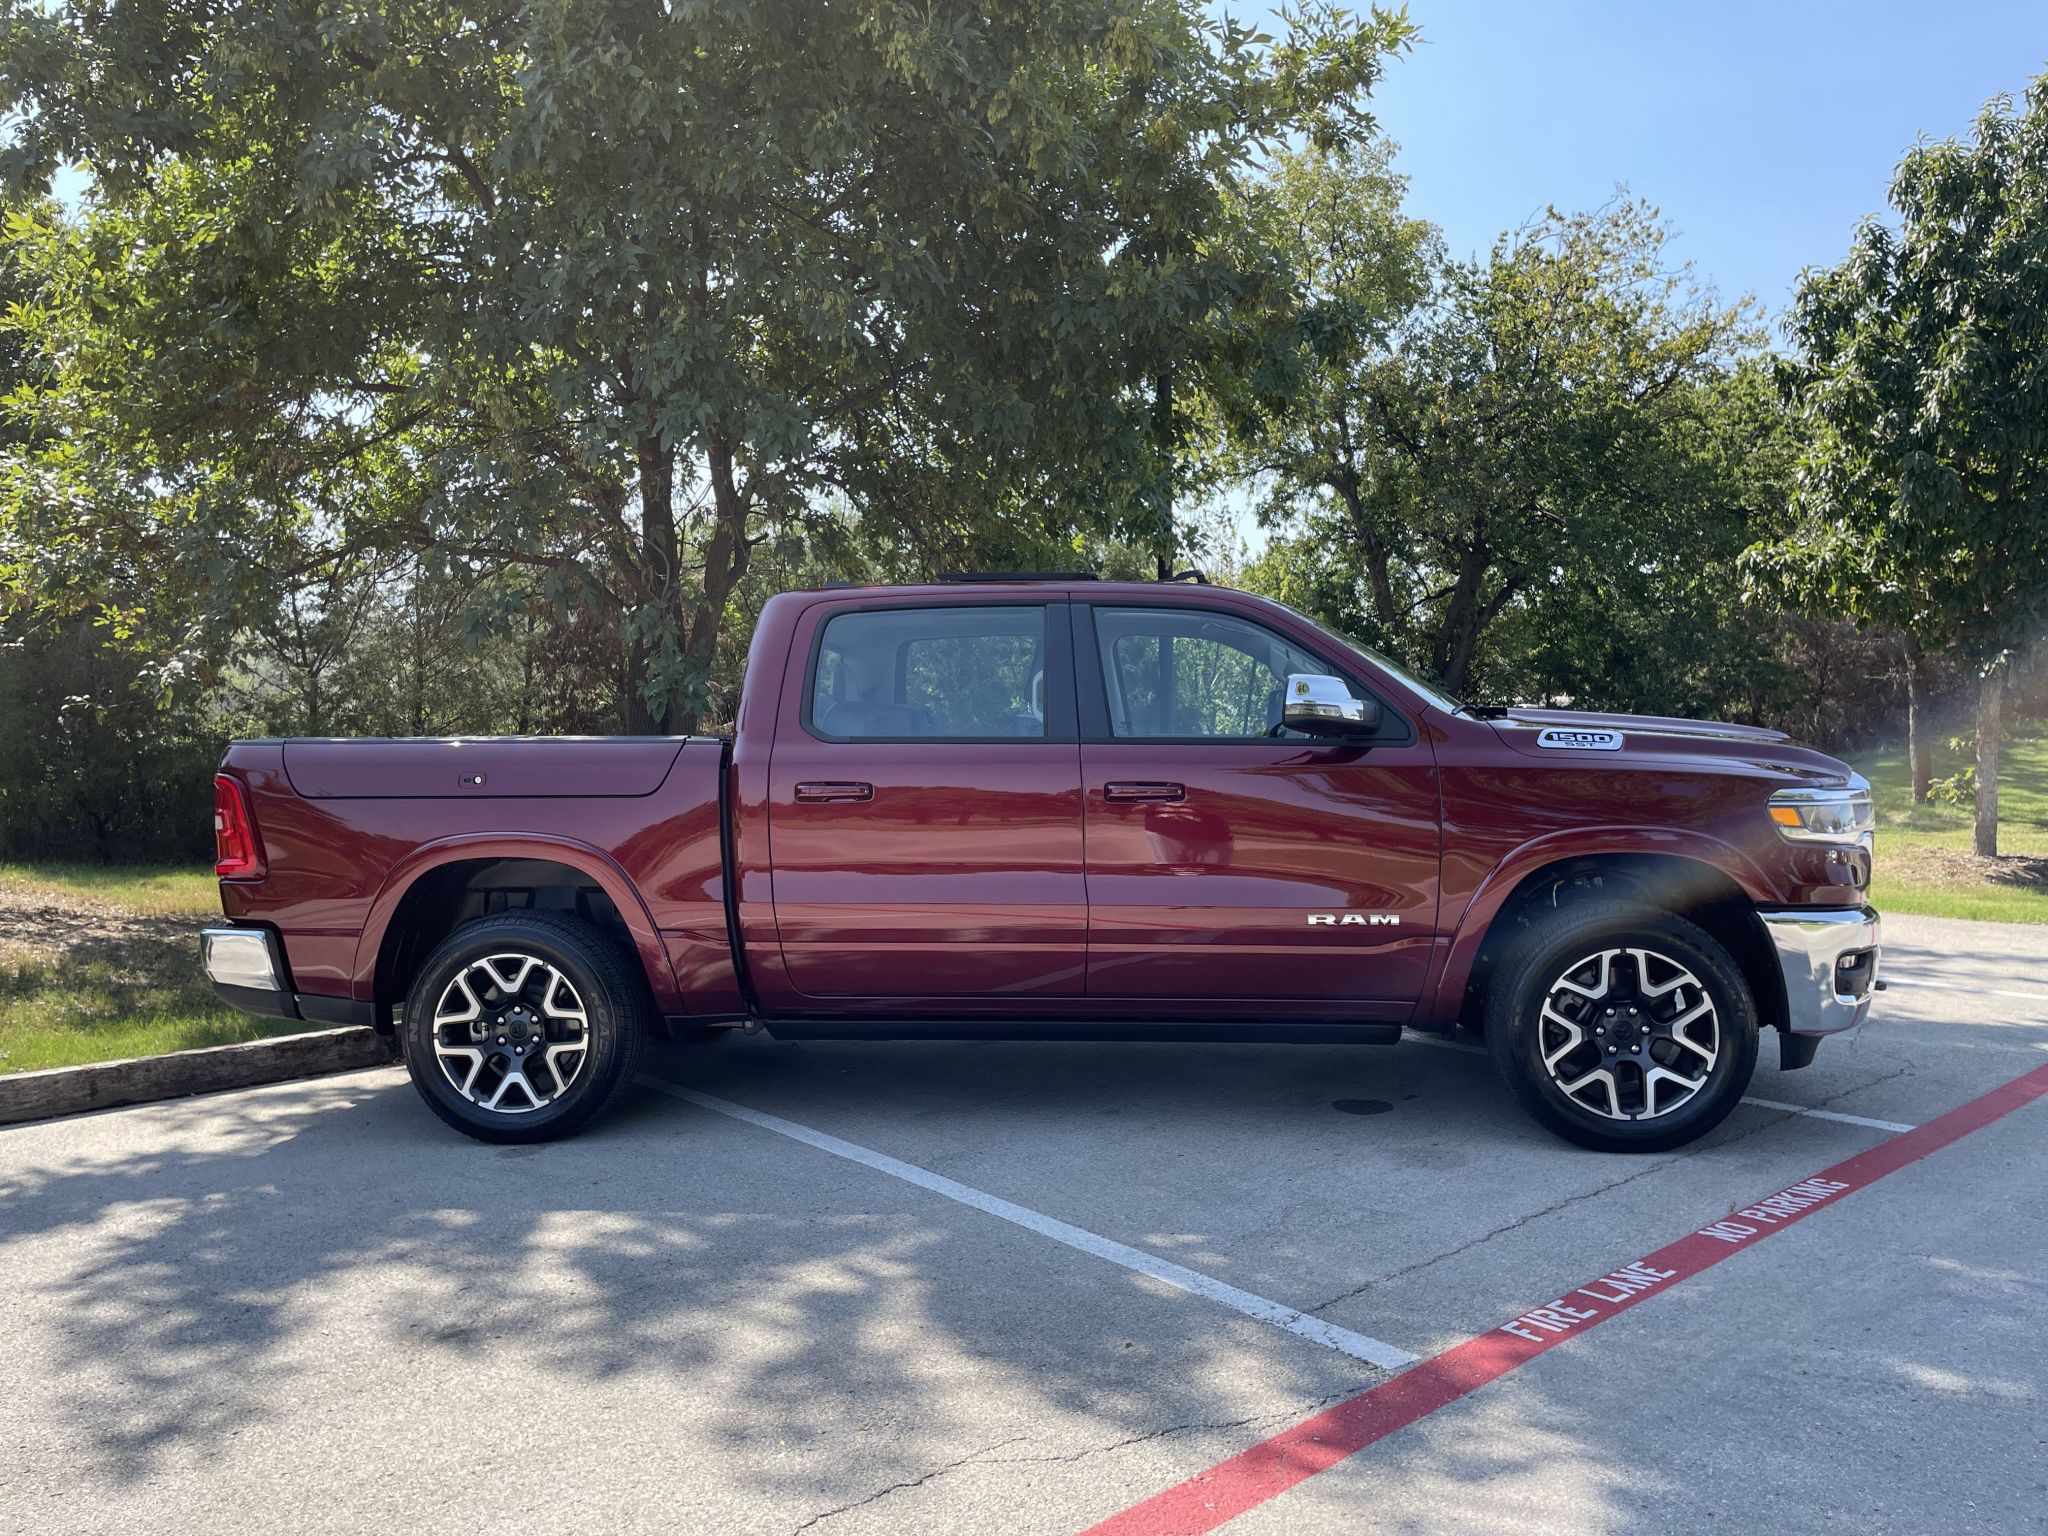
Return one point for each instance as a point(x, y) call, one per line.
point(103, 964)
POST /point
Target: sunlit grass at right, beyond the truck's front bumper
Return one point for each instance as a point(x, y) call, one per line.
point(1926, 863)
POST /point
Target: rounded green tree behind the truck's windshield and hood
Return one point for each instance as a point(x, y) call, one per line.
point(1545, 441)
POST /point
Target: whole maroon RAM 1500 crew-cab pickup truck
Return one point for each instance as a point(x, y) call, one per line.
point(1064, 810)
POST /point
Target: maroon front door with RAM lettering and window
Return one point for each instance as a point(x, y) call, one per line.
point(1230, 859)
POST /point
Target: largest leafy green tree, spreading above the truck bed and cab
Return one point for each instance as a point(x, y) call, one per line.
point(615, 290)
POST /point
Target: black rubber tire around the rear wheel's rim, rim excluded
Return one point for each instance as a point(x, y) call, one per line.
point(570, 949)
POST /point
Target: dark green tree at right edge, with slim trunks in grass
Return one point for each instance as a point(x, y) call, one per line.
point(1922, 398)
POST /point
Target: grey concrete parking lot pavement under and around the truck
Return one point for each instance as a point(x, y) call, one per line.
point(314, 1308)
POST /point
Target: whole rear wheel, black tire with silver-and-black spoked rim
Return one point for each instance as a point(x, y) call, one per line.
point(493, 1037)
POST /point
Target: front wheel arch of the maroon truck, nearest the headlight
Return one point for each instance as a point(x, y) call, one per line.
point(1691, 884)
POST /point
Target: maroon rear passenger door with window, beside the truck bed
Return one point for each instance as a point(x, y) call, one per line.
point(927, 804)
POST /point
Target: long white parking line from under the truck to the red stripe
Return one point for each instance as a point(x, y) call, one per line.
point(1195, 1283)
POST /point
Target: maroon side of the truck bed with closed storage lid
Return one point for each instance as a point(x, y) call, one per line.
point(622, 826)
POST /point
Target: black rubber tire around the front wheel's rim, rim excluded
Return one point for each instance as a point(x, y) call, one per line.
point(1517, 1037)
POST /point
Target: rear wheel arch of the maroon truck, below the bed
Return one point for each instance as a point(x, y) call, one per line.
point(445, 884)
